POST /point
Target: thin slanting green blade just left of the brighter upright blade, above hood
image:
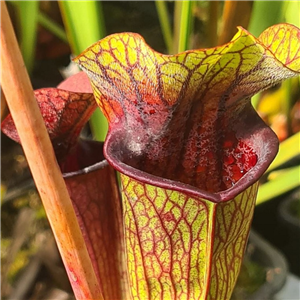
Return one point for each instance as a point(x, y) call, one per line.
point(163, 16)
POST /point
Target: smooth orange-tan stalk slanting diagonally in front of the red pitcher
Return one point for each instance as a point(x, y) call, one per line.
point(18, 91)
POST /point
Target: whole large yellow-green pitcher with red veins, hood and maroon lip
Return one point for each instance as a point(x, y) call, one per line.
point(191, 149)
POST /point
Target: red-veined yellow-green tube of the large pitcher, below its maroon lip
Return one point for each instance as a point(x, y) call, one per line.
point(183, 247)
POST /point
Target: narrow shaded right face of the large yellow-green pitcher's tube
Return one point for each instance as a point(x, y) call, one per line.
point(232, 224)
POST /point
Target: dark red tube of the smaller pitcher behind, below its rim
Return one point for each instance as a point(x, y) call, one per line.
point(98, 212)
